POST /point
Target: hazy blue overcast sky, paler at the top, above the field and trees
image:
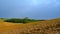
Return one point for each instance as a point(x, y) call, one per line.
point(36, 9)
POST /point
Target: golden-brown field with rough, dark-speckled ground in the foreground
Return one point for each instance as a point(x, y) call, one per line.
point(41, 27)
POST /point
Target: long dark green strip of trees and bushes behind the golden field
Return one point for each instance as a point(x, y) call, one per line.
point(25, 20)
